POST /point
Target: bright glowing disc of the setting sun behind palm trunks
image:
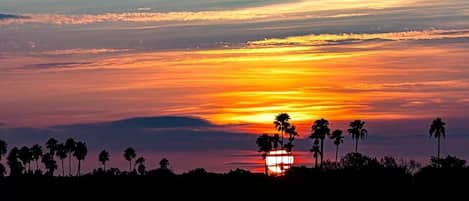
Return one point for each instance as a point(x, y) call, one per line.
point(279, 161)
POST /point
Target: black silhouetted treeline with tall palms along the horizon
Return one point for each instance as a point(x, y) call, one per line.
point(352, 171)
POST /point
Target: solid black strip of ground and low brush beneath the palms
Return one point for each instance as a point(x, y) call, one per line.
point(240, 184)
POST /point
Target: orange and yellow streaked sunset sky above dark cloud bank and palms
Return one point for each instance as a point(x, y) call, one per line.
point(238, 63)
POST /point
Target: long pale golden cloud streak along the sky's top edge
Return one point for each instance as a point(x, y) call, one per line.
point(291, 10)
